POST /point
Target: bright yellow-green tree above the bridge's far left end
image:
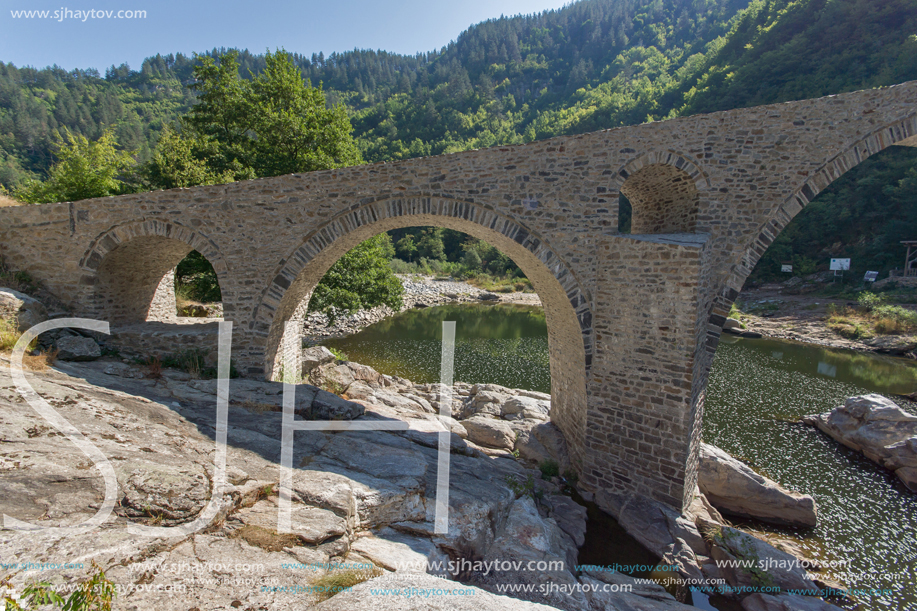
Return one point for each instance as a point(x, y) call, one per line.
point(84, 169)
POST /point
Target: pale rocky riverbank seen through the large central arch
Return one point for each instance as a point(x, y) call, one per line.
point(419, 292)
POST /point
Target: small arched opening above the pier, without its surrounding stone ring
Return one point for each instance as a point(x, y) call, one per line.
point(663, 199)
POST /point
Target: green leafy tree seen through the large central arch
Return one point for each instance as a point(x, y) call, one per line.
point(360, 279)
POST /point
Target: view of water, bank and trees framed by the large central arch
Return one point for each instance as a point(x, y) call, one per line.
point(432, 275)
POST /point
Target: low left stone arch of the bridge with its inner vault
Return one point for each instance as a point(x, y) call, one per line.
point(127, 269)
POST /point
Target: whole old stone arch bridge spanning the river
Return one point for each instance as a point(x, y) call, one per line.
point(633, 319)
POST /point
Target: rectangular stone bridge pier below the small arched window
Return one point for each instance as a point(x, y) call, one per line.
point(645, 399)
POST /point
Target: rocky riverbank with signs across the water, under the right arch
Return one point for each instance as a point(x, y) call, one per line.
point(780, 311)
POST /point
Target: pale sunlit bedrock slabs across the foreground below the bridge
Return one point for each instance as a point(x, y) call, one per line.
point(363, 500)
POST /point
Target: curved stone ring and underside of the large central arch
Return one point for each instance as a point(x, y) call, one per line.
point(568, 307)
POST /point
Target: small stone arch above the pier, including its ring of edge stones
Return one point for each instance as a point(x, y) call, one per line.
point(664, 191)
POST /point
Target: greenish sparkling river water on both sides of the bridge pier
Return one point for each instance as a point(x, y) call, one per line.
point(758, 389)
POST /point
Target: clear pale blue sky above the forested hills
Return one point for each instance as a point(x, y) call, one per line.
point(171, 26)
